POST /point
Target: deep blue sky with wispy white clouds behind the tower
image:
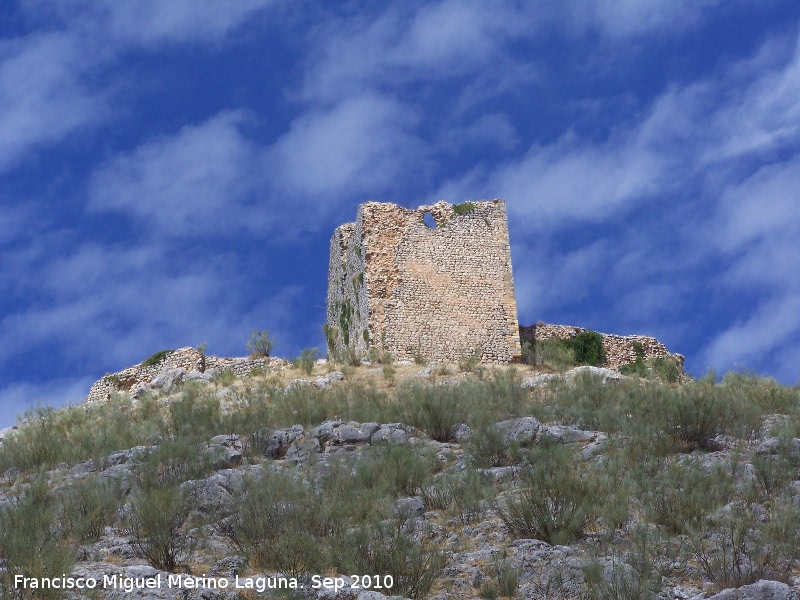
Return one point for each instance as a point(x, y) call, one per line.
point(171, 171)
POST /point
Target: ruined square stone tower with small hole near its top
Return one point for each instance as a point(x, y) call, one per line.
point(435, 281)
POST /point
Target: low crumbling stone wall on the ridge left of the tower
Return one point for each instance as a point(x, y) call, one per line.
point(187, 359)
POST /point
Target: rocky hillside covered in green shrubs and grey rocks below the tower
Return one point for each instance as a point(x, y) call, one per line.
point(425, 481)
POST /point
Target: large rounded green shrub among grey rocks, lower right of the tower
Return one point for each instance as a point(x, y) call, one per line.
point(555, 503)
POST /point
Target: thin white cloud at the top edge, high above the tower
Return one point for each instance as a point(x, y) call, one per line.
point(439, 41)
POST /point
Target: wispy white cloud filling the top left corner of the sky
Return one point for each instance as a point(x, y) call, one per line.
point(54, 82)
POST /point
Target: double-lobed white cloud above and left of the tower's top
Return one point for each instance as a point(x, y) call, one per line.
point(210, 178)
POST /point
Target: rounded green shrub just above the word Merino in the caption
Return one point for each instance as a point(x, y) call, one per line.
point(155, 523)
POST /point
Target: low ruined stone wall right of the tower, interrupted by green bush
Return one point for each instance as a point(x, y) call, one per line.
point(619, 349)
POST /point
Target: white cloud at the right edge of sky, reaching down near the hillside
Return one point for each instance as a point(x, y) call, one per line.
point(759, 227)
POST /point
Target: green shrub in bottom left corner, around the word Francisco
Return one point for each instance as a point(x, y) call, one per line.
point(32, 541)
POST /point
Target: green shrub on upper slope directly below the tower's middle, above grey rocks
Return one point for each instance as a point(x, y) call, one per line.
point(437, 410)
